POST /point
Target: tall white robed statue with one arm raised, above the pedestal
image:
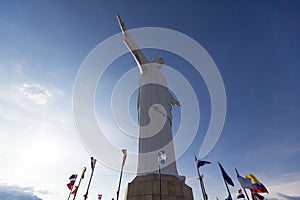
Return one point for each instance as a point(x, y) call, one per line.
point(155, 100)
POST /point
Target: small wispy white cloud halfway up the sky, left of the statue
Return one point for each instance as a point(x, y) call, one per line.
point(36, 93)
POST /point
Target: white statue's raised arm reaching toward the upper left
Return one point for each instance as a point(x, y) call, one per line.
point(138, 55)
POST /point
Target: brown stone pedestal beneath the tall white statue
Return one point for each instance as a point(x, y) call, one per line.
point(147, 187)
